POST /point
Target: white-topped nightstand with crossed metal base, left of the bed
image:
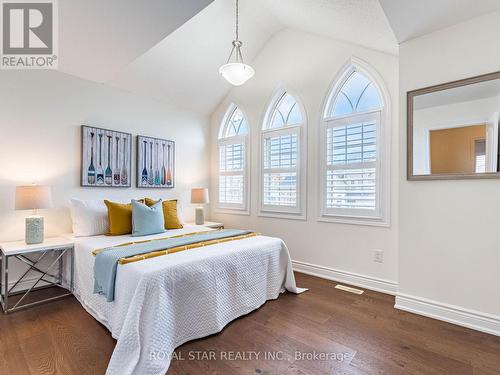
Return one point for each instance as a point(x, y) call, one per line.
point(46, 260)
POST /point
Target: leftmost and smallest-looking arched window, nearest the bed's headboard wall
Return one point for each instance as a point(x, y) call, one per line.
point(233, 155)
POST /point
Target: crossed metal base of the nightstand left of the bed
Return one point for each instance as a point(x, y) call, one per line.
point(49, 279)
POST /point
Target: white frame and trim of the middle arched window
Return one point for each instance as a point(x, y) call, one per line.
point(294, 213)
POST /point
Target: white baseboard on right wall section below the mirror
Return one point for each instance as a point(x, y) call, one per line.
point(449, 313)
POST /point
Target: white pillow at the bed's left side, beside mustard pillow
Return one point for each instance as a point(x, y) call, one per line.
point(90, 218)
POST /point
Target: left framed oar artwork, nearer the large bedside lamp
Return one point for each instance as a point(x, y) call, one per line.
point(106, 158)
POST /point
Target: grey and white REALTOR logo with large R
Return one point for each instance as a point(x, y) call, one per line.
point(29, 34)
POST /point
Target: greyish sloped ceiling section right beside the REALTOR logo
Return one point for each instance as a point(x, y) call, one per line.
point(97, 38)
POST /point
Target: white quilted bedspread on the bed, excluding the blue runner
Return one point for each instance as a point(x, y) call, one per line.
point(163, 302)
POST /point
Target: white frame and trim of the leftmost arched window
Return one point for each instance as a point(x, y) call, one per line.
point(231, 208)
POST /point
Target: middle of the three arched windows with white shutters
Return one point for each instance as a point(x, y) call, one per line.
point(283, 170)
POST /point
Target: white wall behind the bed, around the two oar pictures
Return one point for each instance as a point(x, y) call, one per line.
point(40, 117)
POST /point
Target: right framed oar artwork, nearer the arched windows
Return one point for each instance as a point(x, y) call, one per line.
point(155, 162)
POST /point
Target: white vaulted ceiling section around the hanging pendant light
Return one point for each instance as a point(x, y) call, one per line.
point(183, 68)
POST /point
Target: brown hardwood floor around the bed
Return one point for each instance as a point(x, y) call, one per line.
point(357, 334)
